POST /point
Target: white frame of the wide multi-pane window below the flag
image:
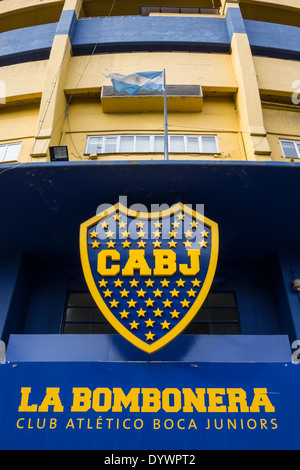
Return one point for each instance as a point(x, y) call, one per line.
point(151, 149)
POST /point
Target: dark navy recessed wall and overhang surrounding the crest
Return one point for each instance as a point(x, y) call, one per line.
point(33, 288)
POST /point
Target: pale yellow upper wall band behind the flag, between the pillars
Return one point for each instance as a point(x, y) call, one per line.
point(211, 71)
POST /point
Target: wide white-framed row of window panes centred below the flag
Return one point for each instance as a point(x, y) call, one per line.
point(151, 143)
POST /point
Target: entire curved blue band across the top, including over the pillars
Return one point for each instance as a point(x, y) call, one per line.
point(134, 33)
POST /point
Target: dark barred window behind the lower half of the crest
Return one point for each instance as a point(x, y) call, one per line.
point(218, 315)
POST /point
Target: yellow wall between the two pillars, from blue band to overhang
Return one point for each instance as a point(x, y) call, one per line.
point(214, 72)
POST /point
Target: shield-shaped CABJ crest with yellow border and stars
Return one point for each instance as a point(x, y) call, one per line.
point(149, 273)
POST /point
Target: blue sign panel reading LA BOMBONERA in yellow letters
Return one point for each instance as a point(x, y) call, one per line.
point(149, 406)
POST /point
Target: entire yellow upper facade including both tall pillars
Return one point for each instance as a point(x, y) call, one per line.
point(232, 86)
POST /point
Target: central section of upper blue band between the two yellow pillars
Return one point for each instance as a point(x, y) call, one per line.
point(151, 33)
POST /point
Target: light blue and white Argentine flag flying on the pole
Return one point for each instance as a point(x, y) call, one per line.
point(135, 82)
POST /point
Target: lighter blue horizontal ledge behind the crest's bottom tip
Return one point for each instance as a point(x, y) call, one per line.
point(114, 348)
